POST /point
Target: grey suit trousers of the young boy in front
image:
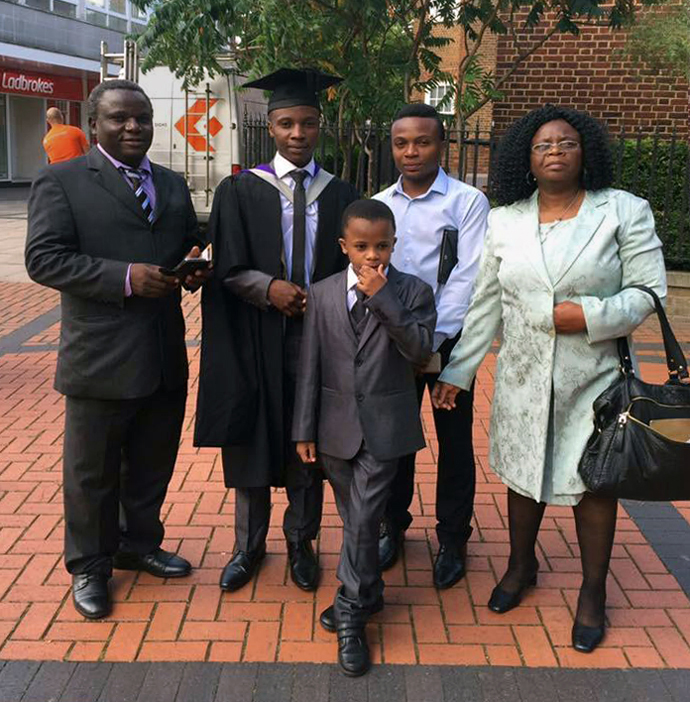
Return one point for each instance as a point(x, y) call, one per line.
point(361, 486)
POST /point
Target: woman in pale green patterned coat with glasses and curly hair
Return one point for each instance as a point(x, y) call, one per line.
point(557, 256)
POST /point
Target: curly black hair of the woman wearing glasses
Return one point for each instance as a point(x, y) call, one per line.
point(511, 182)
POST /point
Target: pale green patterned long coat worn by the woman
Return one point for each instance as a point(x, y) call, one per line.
point(614, 245)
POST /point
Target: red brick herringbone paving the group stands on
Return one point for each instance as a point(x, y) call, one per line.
point(272, 620)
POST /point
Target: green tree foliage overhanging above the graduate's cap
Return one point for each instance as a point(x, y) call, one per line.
point(385, 49)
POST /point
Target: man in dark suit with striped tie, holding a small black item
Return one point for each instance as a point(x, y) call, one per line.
point(101, 227)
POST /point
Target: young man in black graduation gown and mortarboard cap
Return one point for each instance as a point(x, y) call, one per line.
point(275, 231)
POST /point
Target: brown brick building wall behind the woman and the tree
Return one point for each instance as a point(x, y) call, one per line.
point(588, 72)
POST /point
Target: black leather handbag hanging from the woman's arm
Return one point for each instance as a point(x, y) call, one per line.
point(640, 446)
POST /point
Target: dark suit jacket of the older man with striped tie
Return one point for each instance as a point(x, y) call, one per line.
point(85, 227)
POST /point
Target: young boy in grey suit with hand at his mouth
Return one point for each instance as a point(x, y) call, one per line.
point(366, 329)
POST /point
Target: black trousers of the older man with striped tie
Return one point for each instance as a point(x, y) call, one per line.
point(119, 457)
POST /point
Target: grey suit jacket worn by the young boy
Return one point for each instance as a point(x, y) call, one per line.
point(349, 391)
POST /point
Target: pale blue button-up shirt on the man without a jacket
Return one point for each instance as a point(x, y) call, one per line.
point(420, 221)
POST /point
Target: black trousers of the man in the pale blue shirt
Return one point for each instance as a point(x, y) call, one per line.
point(455, 483)
